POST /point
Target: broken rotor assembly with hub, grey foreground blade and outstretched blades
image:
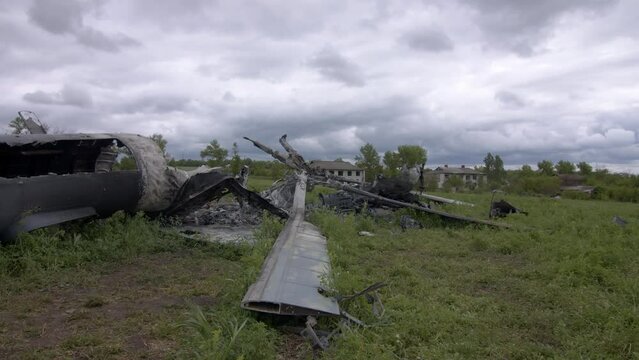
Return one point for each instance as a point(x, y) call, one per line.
point(291, 276)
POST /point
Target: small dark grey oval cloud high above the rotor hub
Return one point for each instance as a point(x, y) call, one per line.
point(332, 65)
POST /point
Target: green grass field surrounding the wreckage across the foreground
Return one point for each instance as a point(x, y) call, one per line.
point(564, 283)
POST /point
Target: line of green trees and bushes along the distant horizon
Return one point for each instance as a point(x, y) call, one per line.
point(546, 180)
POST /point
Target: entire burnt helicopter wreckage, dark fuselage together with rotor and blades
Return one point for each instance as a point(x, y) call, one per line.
point(51, 179)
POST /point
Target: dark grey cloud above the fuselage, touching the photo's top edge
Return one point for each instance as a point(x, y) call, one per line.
point(66, 17)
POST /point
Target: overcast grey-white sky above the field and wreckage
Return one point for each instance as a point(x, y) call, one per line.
point(529, 80)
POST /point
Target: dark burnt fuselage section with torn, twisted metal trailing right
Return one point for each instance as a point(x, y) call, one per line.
point(52, 179)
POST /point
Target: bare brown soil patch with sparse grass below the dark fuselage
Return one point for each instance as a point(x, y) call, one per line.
point(131, 311)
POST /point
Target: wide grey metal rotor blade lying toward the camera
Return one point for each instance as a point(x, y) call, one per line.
point(292, 272)
